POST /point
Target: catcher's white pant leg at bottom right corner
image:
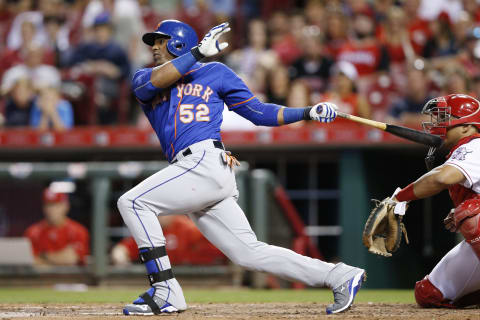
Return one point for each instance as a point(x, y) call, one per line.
point(458, 273)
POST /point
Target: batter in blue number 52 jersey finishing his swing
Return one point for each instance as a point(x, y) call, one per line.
point(183, 99)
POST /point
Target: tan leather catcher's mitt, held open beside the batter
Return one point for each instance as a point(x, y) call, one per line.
point(383, 230)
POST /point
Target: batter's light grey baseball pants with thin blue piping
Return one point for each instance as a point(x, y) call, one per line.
point(202, 186)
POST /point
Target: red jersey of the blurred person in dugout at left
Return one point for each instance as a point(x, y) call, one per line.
point(46, 238)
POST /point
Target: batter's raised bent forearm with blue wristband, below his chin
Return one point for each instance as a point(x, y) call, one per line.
point(168, 73)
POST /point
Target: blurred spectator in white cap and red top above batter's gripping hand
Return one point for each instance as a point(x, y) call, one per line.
point(344, 92)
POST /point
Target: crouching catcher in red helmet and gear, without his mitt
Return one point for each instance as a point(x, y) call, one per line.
point(455, 280)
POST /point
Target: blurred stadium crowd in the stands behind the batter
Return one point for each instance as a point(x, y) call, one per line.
point(65, 63)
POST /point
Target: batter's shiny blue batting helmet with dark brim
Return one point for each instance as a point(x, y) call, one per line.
point(181, 36)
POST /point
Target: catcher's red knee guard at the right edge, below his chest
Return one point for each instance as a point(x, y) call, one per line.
point(467, 221)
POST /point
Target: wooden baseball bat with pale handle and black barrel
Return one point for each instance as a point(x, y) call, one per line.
point(406, 133)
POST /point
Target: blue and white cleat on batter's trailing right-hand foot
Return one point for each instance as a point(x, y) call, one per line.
point(344, 294)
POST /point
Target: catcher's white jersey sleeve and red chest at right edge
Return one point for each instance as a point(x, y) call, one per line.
point(465, 156)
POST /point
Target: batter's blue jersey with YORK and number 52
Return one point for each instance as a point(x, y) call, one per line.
point(191, 110)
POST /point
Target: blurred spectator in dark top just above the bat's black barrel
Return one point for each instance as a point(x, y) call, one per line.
point(407, 109)
